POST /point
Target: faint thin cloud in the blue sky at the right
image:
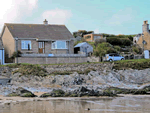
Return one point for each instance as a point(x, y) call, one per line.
point(121, 17)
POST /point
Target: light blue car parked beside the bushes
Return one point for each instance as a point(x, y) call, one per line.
point(113, 57)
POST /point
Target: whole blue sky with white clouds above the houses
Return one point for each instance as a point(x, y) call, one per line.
point(101, 16)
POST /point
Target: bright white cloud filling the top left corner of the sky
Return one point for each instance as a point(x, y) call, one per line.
point(14, 10)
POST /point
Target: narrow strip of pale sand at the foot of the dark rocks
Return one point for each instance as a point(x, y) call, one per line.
point(15, 100)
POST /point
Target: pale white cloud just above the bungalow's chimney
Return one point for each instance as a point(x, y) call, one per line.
point(57, 16)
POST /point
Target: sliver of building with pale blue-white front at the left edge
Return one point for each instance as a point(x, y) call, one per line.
point(2, 53)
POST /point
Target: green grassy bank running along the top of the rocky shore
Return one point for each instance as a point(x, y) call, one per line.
point(39, 70)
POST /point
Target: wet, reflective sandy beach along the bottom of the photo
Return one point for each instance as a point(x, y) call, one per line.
point(126, 104)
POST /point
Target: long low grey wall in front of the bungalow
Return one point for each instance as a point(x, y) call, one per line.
point(51, 60)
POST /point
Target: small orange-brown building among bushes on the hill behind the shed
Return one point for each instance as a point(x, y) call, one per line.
point(92, 37)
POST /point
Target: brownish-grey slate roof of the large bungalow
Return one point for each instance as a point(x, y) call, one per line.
point(40, 31)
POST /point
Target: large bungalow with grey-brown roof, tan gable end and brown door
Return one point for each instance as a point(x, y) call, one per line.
point(37, 41)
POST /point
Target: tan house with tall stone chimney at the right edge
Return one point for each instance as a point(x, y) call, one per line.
point(144, 40)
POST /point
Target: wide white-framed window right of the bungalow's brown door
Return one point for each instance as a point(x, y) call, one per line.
point(59, 45)
